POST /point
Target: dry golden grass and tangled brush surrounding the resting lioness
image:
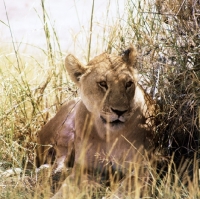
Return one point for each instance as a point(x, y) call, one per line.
point(168, 40)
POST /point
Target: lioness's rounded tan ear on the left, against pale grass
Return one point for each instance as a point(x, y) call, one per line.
point(74, 68)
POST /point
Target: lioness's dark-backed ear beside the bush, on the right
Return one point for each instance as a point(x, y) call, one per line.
point(130, 56)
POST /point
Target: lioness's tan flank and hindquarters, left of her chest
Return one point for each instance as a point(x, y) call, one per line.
point(57, 136)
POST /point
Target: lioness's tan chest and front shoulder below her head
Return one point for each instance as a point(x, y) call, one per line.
point(93, 151)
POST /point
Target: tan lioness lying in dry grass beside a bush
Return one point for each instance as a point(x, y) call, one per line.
point(112, 123)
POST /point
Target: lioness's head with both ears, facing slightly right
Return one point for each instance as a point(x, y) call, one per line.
point(108, 86)
